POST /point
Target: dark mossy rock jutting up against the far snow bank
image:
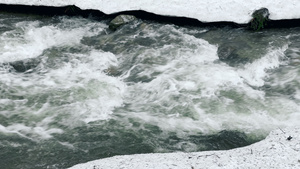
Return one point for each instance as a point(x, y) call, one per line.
point(260, 19)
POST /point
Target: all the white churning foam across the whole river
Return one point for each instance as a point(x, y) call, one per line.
point(188, 90)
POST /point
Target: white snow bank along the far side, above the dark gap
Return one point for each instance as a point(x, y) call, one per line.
point(237, 11)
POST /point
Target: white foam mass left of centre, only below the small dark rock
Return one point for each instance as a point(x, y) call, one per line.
point(80, 90)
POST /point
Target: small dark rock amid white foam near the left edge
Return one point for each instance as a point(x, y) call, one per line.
point(25, 65)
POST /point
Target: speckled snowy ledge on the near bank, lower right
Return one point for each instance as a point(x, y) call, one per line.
point(276, 151)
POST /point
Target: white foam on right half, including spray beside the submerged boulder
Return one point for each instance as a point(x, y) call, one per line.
point(193, 92)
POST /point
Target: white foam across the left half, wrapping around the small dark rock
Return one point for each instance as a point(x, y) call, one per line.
point(75, 90)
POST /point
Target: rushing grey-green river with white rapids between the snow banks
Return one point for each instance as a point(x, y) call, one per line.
point(86, 92)
